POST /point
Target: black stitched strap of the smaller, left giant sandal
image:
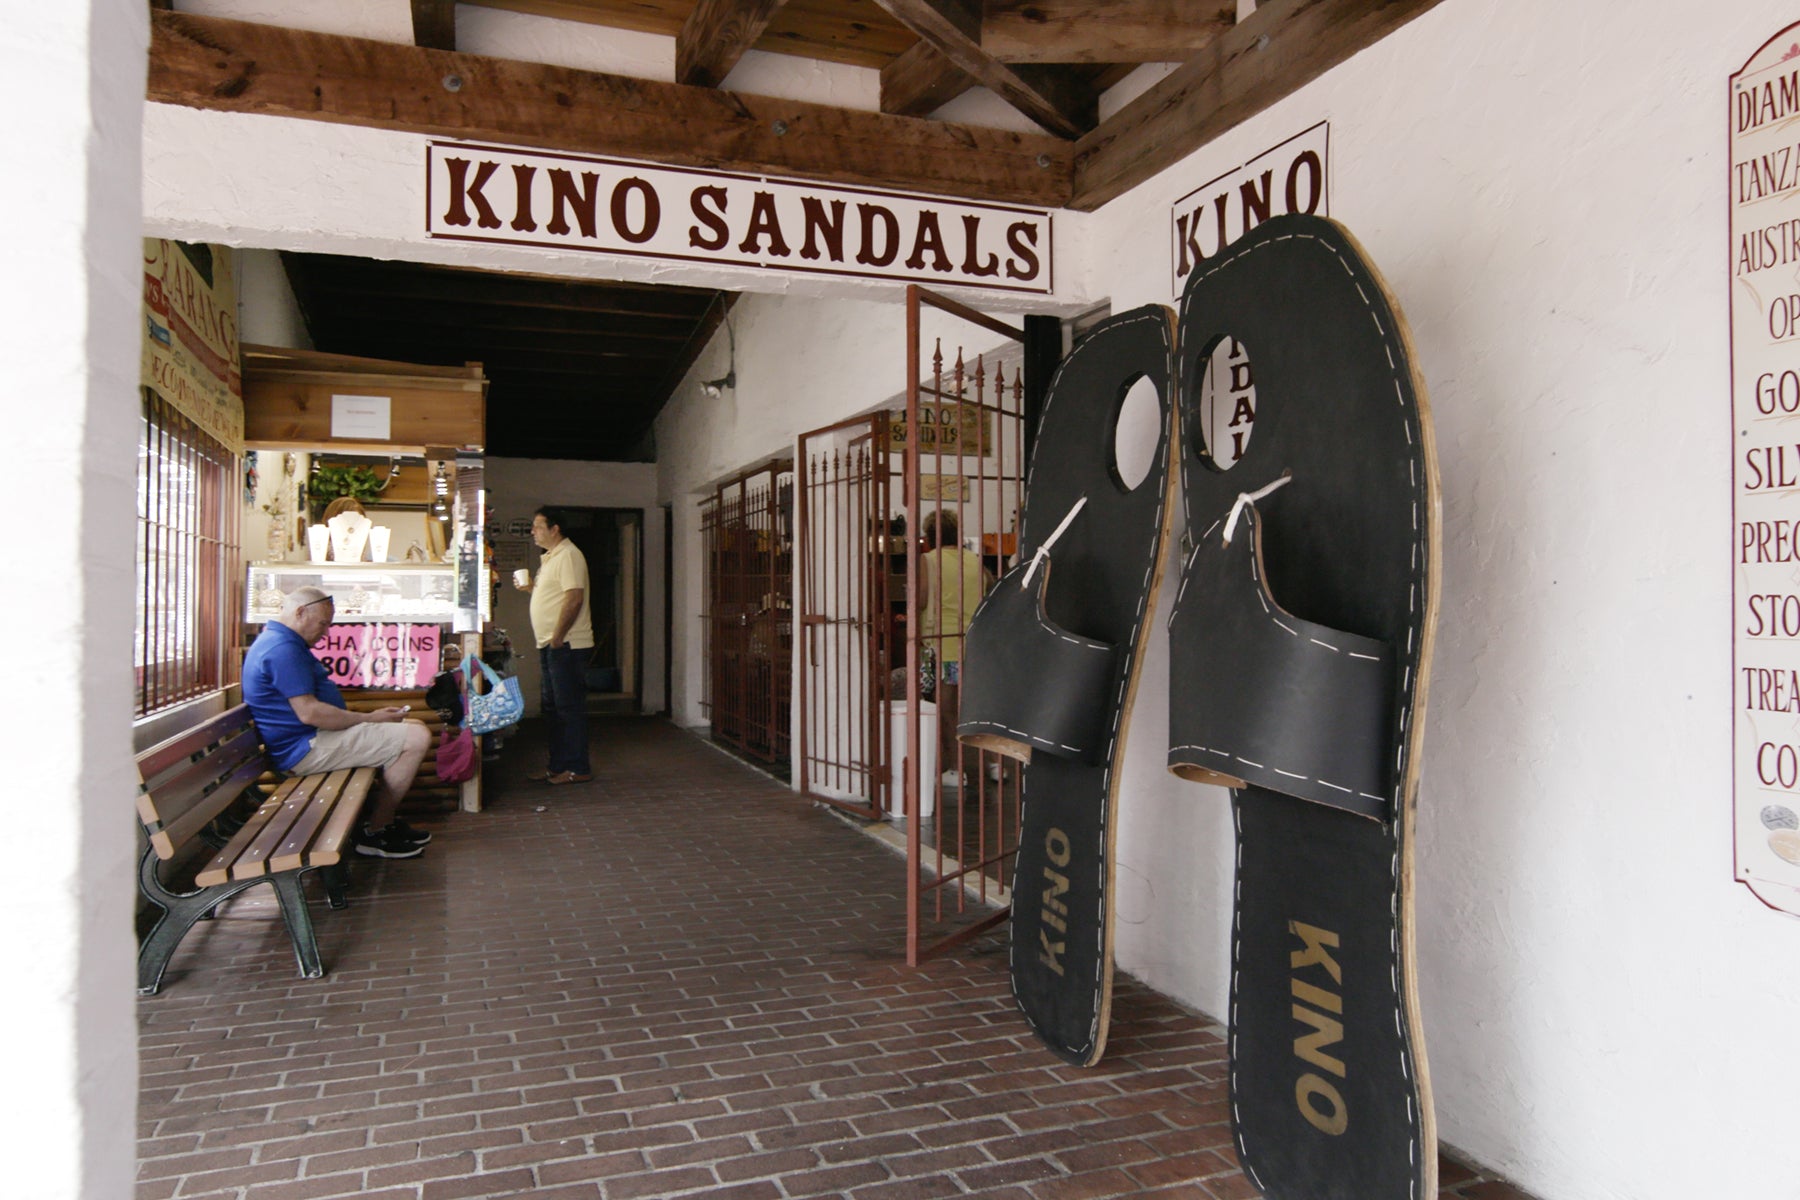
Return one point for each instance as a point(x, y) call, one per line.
point(1030, 686)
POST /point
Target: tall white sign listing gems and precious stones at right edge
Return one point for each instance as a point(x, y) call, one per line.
point(1765, 220)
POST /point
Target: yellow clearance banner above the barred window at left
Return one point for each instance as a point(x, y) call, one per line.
point(192, 336)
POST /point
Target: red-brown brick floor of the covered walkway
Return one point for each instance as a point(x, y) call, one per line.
point(674, 981)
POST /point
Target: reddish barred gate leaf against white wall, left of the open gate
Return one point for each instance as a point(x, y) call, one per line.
point(845, 602)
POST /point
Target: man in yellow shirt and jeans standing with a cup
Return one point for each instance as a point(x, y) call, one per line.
point(566, 640)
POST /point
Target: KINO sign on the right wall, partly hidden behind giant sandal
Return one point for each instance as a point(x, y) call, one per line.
point(1284, 179)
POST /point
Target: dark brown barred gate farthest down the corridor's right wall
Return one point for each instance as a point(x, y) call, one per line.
point(746, 528)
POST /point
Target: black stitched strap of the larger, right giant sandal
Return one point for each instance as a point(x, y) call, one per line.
point(1277, 703)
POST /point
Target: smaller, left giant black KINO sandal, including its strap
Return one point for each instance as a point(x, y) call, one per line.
point(1052, 665)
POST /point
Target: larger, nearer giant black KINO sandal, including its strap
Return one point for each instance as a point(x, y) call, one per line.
point(1300, 647)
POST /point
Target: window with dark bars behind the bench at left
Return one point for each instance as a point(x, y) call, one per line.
point(188, 587)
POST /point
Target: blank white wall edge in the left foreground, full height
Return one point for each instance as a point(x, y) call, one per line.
point(69, 330)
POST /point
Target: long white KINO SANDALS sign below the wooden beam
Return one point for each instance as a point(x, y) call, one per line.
point(613, 206)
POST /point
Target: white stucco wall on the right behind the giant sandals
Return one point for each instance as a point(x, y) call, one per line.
point(1543, 188)
